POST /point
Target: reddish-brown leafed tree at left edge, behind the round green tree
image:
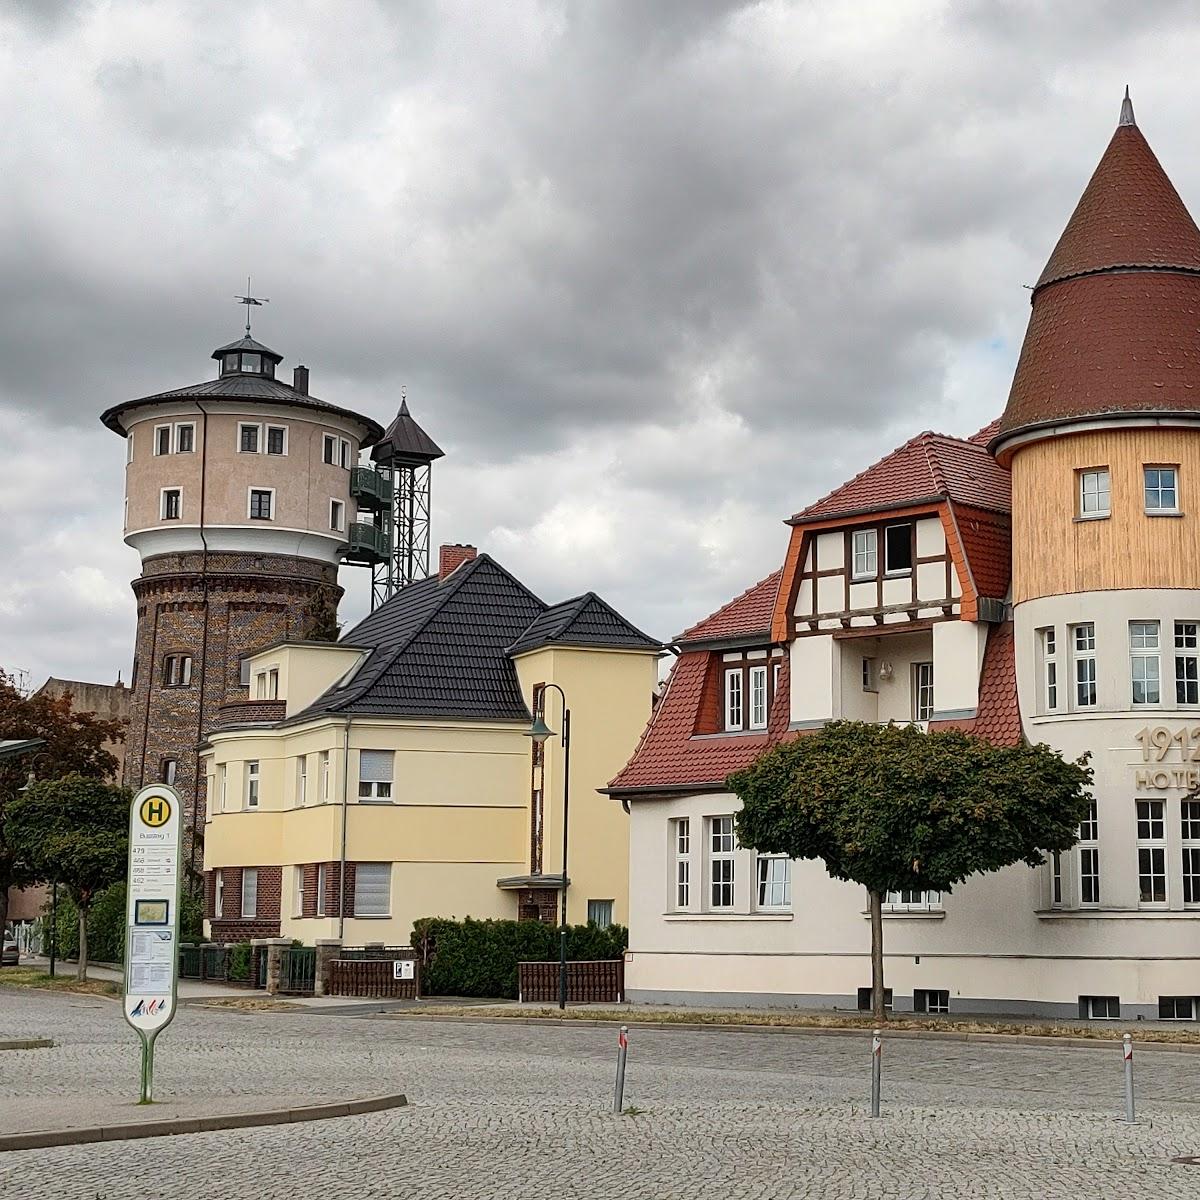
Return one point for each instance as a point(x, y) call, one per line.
point(75, 742)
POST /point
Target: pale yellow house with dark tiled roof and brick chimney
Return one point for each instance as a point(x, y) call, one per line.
point(391, 776)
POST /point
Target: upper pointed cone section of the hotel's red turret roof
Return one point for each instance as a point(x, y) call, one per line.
point(1130, 215)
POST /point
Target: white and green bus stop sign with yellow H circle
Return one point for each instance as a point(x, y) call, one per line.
point(152, 922)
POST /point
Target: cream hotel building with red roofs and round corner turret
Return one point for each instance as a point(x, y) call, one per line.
point(1039, 580)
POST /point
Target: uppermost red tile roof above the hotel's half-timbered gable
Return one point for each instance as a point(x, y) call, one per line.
point(928, 467)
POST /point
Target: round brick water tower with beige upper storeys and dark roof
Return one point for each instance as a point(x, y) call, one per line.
point(241, 499)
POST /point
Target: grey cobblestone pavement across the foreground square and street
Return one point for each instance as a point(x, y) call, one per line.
point(512, 1111)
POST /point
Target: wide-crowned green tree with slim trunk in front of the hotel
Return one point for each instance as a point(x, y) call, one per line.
point(896, 809)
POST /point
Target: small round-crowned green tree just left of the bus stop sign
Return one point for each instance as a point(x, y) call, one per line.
point(75, 831)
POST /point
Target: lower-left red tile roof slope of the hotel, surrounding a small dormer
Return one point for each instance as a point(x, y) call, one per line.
point(671, 757)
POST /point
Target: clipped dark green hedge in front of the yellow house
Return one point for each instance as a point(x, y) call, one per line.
point(479, 958)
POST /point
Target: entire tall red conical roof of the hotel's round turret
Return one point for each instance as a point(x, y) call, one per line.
point(1117, 313)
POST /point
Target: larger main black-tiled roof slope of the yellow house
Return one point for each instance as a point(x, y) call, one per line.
point(440, 650)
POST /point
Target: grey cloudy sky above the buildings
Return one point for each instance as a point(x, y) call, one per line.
point(656, 274)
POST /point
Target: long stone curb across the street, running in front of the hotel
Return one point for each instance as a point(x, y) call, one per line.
point(1012, 1040)
